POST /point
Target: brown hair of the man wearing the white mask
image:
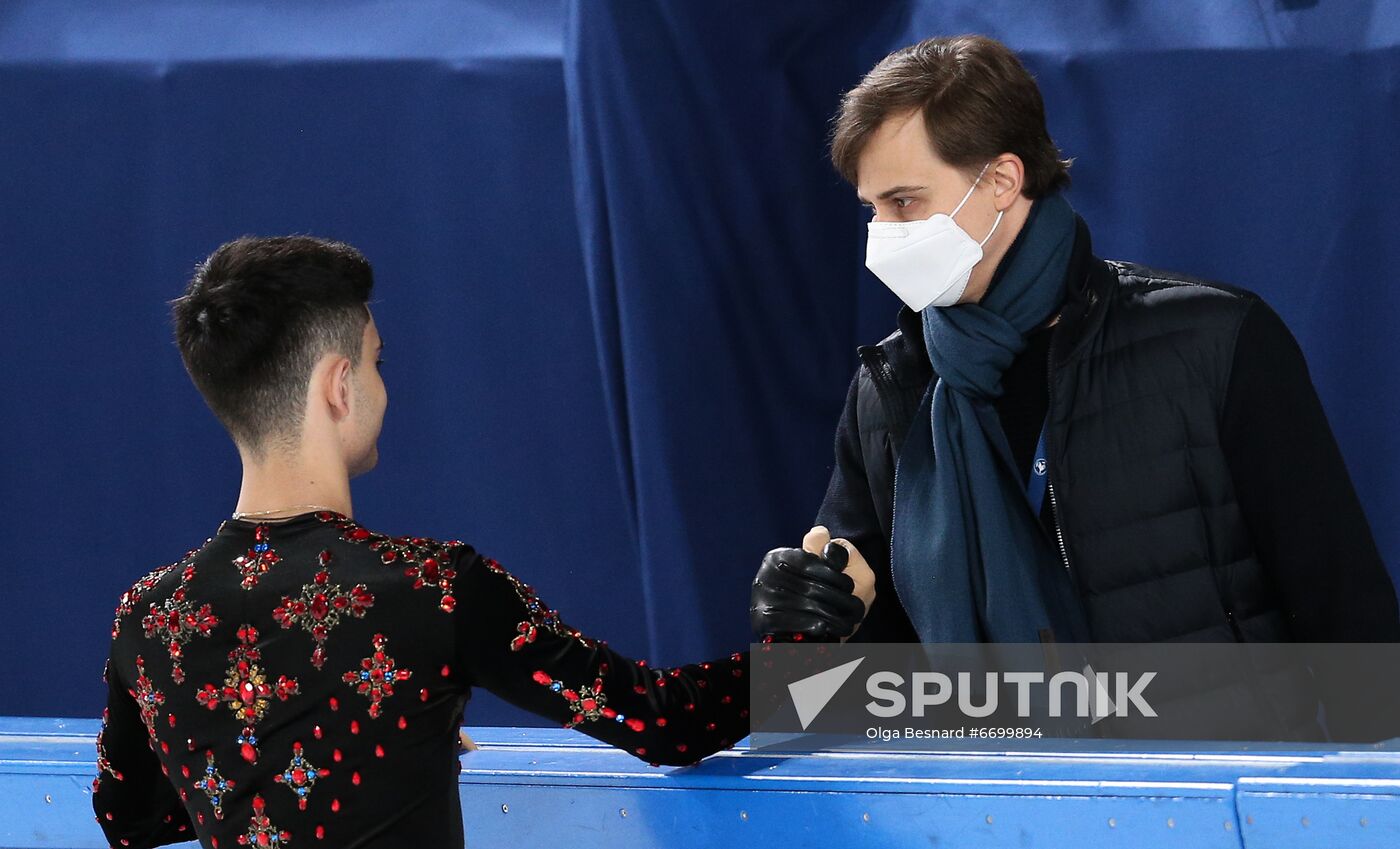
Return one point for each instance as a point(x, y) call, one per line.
point(978, 103)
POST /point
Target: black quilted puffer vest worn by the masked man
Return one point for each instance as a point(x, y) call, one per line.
point(1146, 516)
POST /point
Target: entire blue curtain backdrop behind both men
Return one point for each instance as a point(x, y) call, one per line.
point(619, 285)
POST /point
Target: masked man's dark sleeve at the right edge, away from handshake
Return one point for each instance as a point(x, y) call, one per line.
point(1304, 516)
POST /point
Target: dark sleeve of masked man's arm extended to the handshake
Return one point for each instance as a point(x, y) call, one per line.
point(849, 513)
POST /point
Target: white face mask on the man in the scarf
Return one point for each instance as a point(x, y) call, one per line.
point(927, 263)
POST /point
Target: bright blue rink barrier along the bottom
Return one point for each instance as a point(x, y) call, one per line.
point(545, 787)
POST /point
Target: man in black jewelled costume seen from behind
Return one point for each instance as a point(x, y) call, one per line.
point(303, 677)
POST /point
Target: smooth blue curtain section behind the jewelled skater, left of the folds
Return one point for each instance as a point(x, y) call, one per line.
point(135, 138)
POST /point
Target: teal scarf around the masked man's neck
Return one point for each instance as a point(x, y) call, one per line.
point(971, 561)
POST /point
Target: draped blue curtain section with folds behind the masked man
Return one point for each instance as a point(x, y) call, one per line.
point(1247, 142)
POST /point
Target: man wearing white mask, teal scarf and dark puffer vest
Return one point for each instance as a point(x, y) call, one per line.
point(1086, 450)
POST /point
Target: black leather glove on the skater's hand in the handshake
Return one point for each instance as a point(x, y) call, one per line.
point(800, 593)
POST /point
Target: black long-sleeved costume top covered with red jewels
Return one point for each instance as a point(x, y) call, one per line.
point(302, 683)
